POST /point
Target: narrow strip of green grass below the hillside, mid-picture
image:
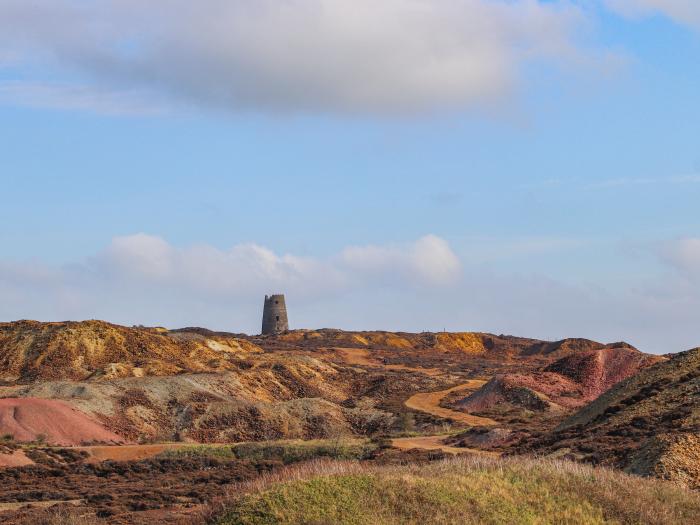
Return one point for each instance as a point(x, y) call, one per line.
point(286, 451)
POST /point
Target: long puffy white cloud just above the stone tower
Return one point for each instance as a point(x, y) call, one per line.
point(253, 269)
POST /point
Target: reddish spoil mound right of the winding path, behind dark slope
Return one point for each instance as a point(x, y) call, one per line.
point(569, 382)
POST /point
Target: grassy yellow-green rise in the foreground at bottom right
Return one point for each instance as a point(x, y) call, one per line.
point(463, 490)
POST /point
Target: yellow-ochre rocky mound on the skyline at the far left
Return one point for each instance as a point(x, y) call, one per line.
point(31, 351)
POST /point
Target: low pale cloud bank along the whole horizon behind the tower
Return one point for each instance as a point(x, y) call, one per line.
point(414, 286)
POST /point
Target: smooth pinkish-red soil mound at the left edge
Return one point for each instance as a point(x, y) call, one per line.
point(58, 423)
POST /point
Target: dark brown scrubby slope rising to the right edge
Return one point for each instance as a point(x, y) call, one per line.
point(648, 424)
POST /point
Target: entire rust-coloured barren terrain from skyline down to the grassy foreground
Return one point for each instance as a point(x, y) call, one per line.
point(430, 393)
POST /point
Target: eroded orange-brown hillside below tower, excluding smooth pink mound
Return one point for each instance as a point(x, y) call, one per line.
point(151, 384)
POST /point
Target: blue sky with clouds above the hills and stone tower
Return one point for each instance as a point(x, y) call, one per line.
point(508, 166)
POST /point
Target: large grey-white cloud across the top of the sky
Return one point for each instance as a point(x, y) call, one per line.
point(298, 55)
